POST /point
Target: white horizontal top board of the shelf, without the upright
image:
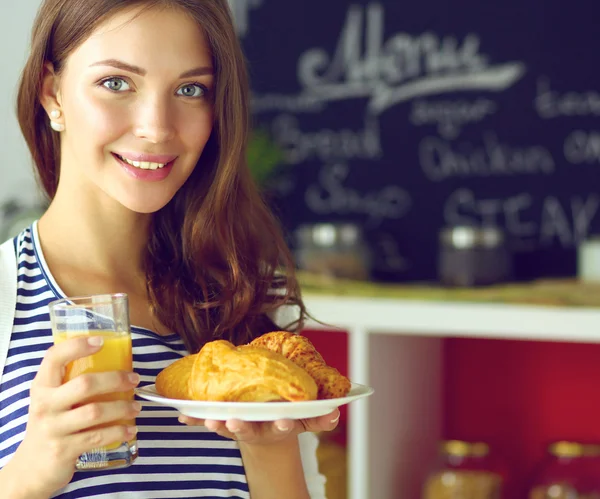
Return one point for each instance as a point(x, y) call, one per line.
point(442, 319)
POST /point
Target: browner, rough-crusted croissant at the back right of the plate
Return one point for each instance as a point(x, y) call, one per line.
point(300, 351)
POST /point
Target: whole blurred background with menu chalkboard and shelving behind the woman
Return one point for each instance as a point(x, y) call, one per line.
point(435, 167)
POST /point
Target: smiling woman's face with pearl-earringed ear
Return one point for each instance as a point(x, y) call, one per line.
point(136, 99)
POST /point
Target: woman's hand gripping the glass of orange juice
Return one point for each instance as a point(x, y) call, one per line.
point(61, 425)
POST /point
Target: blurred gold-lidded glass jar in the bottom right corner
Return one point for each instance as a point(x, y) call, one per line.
point(570, 471)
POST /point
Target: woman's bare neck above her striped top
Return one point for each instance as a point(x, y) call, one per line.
point(95, 233)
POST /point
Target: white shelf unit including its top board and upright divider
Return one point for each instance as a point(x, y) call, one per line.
point(394, 346)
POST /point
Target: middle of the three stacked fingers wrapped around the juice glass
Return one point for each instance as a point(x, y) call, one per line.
point(95, 414)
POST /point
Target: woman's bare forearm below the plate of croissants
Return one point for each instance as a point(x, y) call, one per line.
point(274, 471)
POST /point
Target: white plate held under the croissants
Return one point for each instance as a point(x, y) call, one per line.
point(255, 411)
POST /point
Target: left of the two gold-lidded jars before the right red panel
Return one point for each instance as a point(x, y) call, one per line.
point(465, 470)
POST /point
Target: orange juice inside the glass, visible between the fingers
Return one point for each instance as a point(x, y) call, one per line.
point(115, 355)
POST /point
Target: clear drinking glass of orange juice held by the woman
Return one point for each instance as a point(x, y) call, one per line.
point(106, 316)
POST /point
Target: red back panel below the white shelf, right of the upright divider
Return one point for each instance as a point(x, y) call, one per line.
point(519, 396)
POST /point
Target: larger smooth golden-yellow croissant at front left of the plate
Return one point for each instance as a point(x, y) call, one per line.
point(224, 372)
